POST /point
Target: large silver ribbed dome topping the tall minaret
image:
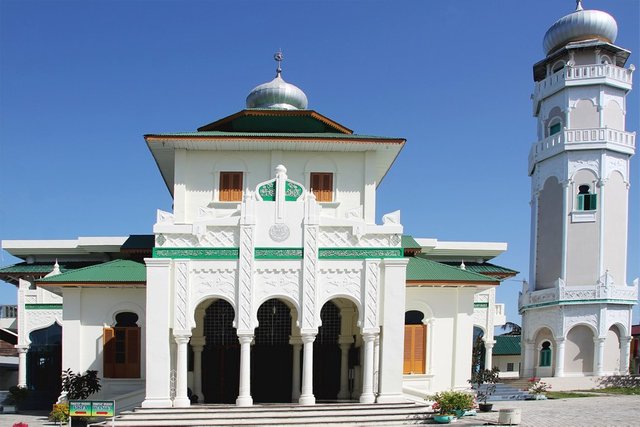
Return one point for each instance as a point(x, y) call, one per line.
point(580, 25)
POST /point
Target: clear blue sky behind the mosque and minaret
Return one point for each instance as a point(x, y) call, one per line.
point(82, 81)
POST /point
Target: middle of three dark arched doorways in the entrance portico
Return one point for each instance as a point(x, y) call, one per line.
point(271, 355)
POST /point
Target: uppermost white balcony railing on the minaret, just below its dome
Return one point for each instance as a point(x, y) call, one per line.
point(579, 75)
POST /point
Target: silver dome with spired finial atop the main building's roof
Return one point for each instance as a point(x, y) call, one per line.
point(277, 94)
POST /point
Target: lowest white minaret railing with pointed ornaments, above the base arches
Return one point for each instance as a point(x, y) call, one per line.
point(602, 292)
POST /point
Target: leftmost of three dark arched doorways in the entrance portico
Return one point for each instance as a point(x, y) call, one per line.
point(221, 354)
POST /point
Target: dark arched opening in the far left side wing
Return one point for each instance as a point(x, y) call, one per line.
point(44, 367)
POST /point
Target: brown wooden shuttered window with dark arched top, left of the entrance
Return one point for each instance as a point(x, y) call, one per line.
point(121, 348)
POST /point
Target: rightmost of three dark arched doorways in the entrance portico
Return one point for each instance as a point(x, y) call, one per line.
point(326, 350)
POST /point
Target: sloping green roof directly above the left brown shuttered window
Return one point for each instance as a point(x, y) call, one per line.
point(119, 270)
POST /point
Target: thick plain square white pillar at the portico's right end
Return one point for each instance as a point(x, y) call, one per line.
point(392, 338)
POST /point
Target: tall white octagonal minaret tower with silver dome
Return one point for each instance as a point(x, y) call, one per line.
point(577, 305)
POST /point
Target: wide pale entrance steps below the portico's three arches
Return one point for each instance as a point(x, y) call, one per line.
point(276, 414)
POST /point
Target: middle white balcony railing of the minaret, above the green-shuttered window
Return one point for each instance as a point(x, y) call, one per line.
point(582, 139)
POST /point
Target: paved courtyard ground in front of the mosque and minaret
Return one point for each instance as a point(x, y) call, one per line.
point(580, 412)
